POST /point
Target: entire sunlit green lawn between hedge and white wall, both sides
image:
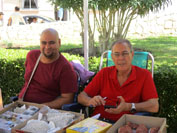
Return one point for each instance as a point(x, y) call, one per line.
point(164, 49)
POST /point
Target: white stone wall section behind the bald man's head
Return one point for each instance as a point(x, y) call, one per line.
point(22, 35)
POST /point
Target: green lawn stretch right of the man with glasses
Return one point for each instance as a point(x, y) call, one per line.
point(164, 49)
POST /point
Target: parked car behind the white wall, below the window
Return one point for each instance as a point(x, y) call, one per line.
point(37, 19)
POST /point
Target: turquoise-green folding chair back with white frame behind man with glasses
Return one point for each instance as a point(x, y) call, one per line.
point(140, 59)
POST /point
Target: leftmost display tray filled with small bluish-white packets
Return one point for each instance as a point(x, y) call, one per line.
point(17, 113)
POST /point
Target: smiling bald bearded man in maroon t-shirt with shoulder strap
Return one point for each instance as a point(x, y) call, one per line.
point(54, 82)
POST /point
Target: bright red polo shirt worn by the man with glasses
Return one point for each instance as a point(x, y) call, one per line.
point(138, 87)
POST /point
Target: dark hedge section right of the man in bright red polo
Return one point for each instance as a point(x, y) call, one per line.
point(165, 78)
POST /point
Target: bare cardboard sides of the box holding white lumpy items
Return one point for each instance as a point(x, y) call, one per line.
point(78, 118)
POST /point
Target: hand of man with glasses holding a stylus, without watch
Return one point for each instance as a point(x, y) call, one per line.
point(96, 101)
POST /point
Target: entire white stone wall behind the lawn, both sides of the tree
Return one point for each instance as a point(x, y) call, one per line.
point(155, 24)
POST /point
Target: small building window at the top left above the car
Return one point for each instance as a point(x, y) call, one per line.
point(29, 4)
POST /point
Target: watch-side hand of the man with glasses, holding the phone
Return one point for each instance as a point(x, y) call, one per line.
point(123, 106)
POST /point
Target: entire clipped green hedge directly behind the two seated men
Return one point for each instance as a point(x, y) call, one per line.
point(165, 77)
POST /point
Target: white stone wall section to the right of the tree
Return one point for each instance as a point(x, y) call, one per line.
point(159, 23)
